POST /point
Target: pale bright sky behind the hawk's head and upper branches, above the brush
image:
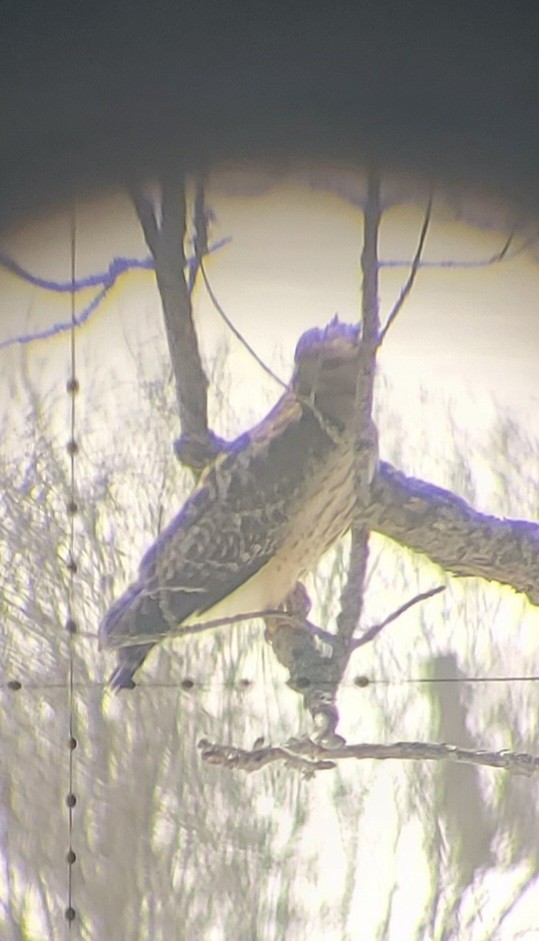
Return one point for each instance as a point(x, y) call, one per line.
point(293, 263)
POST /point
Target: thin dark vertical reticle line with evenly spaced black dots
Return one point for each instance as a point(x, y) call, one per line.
point(72, 447)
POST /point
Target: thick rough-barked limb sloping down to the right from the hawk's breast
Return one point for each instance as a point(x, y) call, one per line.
point(452, 534)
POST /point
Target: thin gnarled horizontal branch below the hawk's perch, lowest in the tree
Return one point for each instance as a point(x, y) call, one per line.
point(309, 756)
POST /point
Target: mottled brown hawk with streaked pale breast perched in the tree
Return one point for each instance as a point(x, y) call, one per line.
point(261, 516)
